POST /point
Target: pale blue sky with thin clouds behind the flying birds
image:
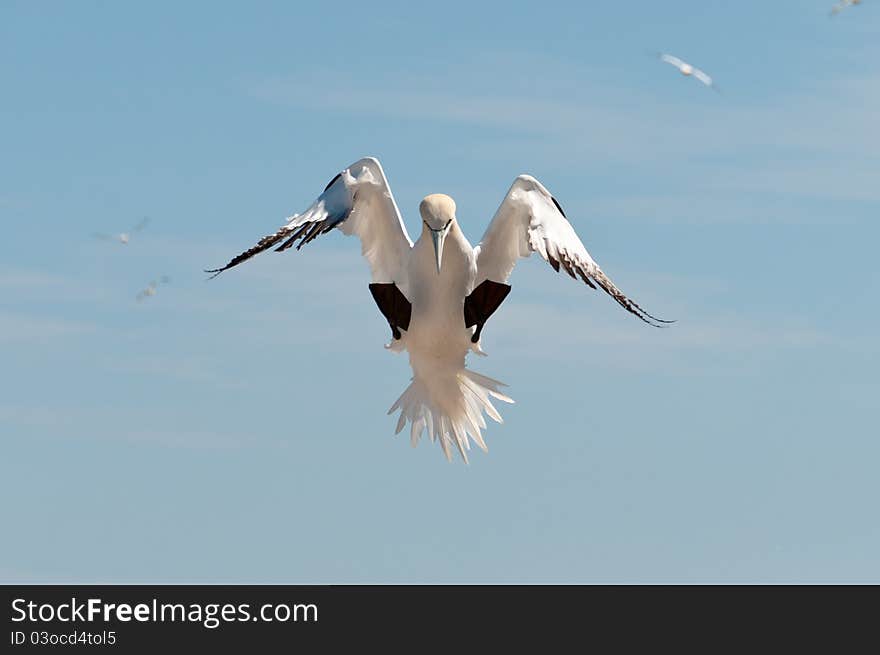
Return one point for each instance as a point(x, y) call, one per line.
point(235, 430)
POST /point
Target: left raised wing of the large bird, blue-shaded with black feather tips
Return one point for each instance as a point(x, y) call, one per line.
point(358, 201)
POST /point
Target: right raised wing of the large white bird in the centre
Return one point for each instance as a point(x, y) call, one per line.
point(531, 220)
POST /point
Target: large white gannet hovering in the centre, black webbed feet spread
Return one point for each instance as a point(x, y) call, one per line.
point(438, 292)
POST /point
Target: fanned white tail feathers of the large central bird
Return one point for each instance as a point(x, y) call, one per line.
point(451, 408)
